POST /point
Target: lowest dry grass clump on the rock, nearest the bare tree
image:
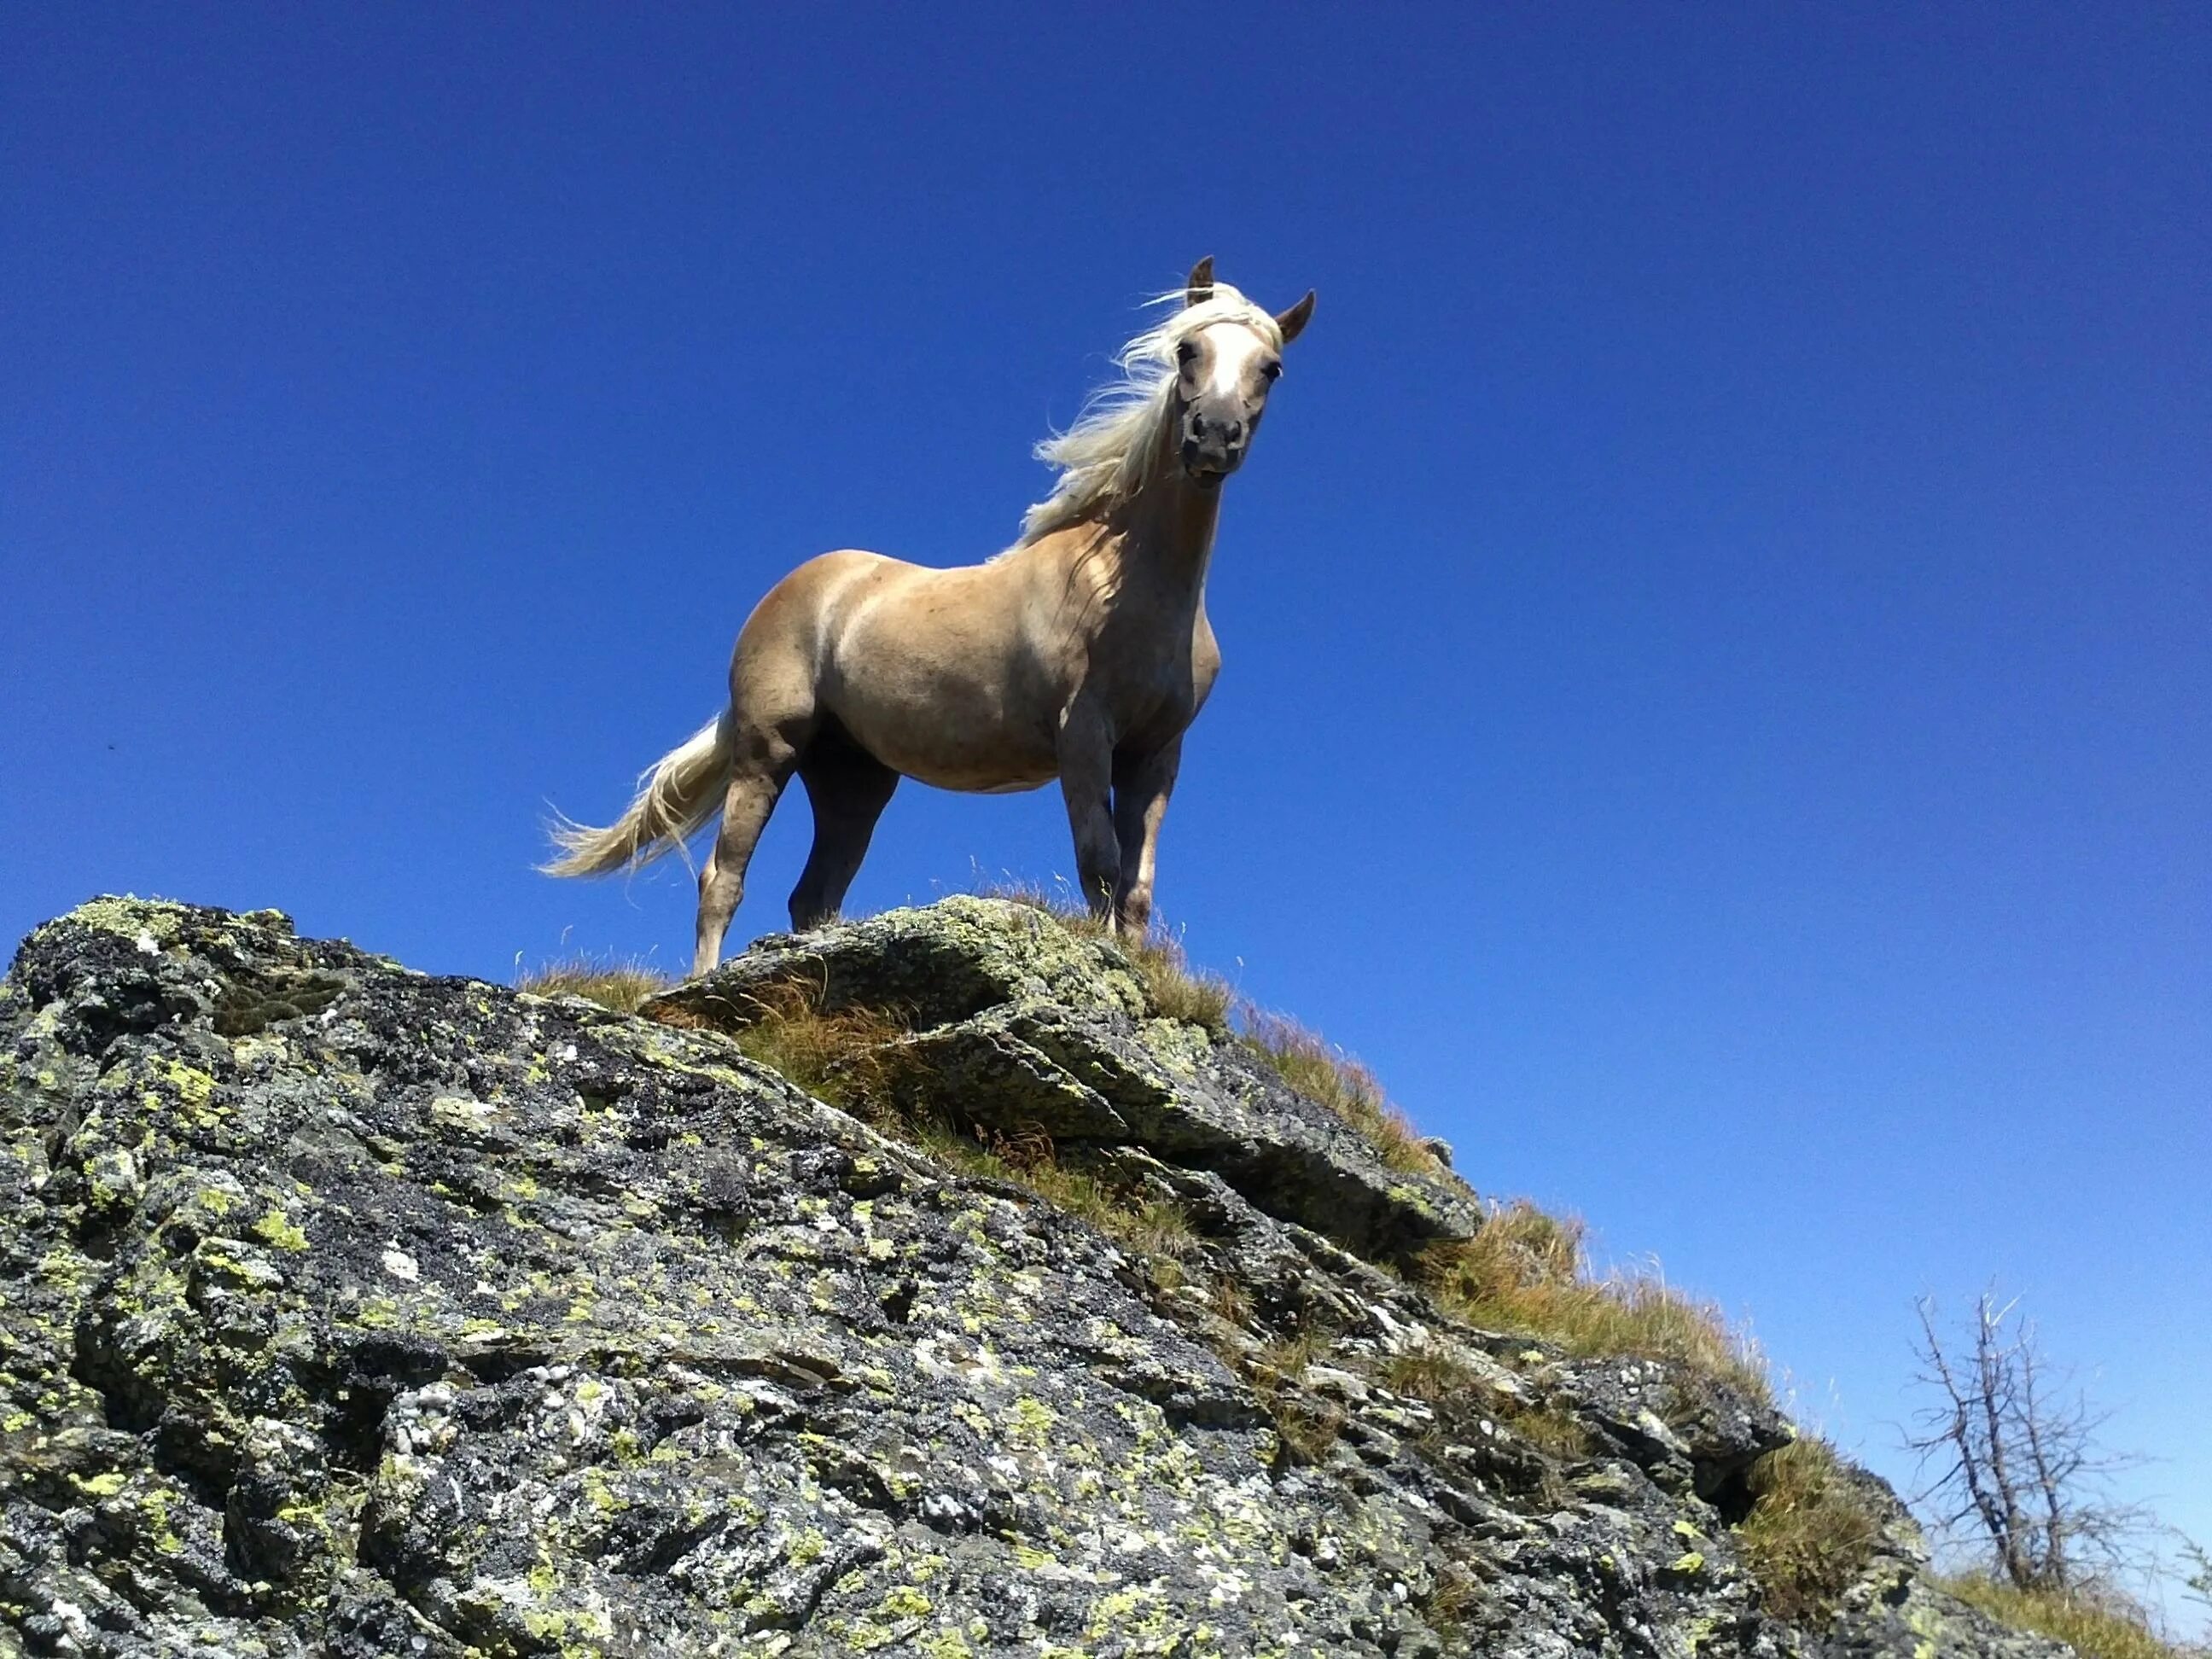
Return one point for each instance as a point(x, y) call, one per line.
point(1808, 1536)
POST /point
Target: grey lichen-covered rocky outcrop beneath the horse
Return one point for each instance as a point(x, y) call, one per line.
point(362, 1313)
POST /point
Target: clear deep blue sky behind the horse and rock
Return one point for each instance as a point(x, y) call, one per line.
point(1720, 634)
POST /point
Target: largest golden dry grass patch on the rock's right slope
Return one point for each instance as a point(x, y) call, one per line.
point(1525, 1271)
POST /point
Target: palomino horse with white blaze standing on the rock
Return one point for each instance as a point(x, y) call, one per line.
point(1081, 654)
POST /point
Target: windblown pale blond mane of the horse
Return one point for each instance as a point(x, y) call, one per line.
point(1105, 457)
